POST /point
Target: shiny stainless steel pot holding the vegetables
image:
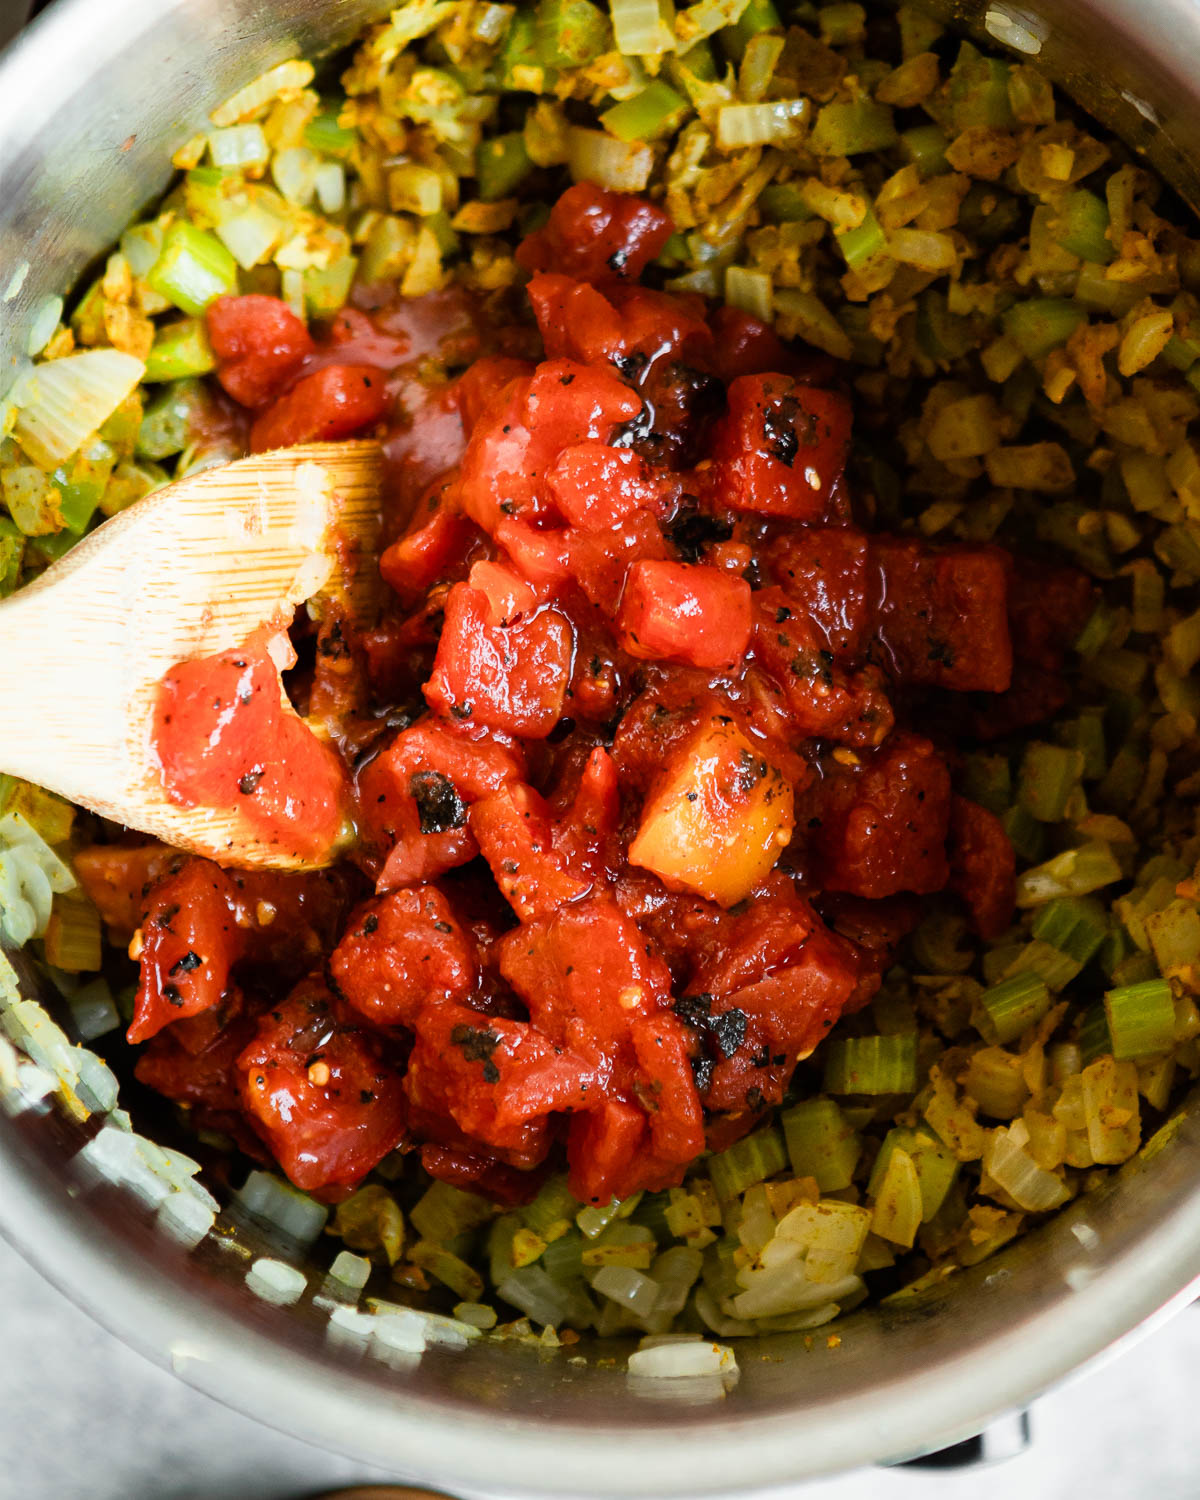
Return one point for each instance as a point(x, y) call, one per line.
point(92, 103)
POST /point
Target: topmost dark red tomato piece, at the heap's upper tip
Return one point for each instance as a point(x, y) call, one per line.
point(598, 236)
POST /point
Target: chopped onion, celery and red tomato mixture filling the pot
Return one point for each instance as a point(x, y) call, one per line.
point(775, 770)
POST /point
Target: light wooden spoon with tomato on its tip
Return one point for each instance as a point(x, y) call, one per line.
point(191, 571)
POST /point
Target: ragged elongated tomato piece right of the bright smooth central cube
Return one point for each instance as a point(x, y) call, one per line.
point(823, 700)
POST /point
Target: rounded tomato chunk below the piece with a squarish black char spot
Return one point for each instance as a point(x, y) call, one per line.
point(404, 952)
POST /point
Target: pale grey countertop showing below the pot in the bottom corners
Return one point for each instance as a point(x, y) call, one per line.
point(82, 1418)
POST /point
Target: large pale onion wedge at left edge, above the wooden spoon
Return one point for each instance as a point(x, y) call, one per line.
point(64, 401)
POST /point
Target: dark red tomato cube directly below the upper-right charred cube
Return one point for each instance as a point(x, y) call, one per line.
point(826, 575)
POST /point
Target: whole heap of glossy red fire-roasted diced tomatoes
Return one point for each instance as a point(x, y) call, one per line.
point(628, 755)
